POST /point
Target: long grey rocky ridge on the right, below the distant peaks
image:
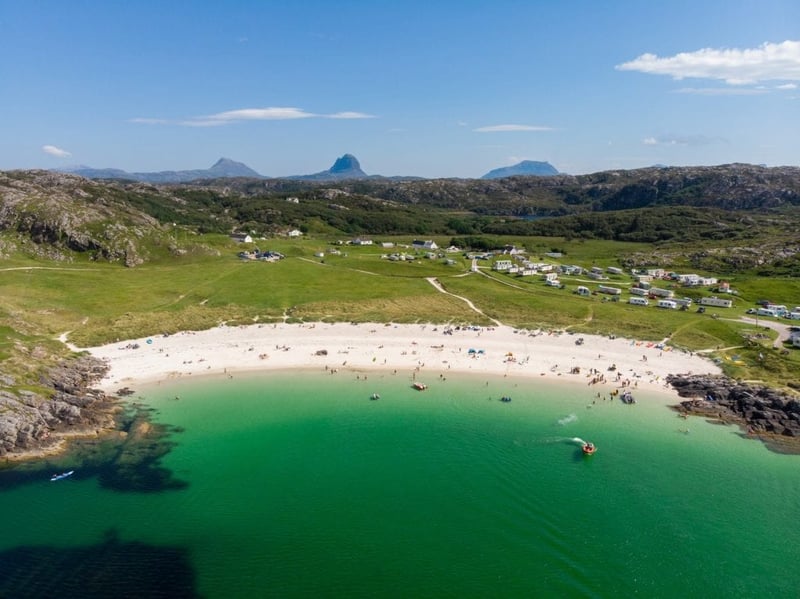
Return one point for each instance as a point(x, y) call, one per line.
point(728, 187)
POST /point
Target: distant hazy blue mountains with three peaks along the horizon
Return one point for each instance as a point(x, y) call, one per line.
point(344, 168)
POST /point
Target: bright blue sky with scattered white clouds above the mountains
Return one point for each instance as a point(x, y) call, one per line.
point(433, 89)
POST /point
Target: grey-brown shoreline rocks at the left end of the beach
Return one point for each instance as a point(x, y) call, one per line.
point(31, 421)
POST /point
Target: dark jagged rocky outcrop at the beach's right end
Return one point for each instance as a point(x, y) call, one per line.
point(768, 414)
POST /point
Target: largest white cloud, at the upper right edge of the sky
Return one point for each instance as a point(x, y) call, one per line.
point(735, 66)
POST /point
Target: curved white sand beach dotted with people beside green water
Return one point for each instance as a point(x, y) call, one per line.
point(425, 352)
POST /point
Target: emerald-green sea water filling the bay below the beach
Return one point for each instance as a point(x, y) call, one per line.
point(298, 485)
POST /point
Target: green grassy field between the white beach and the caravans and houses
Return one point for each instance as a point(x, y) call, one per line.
point(98, 302)
